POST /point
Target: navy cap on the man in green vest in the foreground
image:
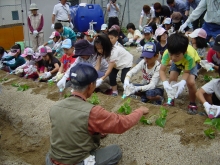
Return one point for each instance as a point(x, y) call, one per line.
point(83, 74)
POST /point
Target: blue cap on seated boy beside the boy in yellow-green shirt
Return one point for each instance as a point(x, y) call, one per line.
point(149, 50)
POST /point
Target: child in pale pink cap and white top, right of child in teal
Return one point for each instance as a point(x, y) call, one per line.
point(29, 70)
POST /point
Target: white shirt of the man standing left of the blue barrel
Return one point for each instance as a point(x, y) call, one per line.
point(61, 12)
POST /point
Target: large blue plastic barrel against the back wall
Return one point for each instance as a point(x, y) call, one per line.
point(84, 15)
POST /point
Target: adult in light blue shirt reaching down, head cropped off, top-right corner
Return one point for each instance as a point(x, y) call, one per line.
point(211, 20)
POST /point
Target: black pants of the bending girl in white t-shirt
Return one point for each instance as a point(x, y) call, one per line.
point(113, 75)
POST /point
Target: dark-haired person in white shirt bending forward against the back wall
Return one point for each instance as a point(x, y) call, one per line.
point(149, 13)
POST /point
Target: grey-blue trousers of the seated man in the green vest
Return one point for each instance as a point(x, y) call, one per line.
point(109, 155)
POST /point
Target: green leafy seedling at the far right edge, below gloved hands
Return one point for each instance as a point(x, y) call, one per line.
point(214, 125)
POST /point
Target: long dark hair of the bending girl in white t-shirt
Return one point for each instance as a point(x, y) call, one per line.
point(106, 45)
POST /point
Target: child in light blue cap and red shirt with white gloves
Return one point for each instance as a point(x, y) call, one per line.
point(67, 59)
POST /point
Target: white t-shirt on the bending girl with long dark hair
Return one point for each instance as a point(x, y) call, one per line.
point(121, 57)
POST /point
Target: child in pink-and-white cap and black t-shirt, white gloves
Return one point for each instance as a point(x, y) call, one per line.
point(51, 63)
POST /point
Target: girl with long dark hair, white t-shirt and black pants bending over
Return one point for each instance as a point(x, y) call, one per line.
point(118, 58)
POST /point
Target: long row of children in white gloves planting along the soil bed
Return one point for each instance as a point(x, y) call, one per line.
point(160, 50)
